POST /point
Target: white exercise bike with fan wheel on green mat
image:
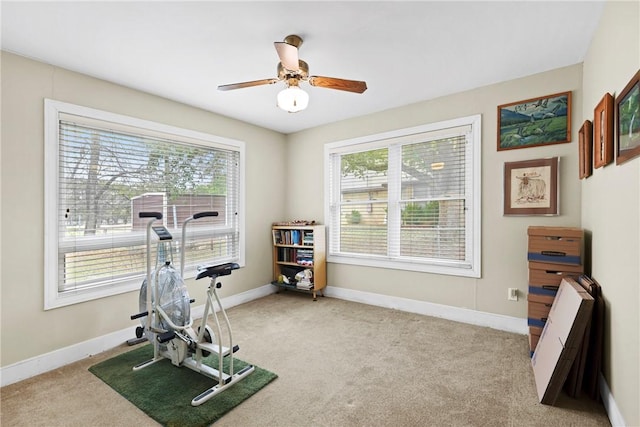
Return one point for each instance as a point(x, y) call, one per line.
point(166, 317)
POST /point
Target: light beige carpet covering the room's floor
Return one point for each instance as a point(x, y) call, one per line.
point(339, 363)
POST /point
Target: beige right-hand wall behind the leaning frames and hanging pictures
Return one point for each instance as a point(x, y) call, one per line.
point(611, 209)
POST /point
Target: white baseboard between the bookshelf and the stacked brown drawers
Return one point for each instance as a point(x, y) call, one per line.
point(464, 315)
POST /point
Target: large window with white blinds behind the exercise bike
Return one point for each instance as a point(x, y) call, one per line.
point(102, 169)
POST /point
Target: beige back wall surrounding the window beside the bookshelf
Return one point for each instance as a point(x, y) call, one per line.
point(504, 240)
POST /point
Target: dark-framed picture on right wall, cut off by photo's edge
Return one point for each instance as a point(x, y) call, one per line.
point(628, 121)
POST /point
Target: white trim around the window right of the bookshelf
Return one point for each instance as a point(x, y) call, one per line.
point(371, 142)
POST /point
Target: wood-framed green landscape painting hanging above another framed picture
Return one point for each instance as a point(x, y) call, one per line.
point(534, 122)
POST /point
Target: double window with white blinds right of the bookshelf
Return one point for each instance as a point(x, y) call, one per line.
point(407, 199)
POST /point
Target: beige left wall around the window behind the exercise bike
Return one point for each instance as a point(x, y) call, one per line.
point(29, 331)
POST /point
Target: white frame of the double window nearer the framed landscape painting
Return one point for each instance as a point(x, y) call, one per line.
point(385, 140)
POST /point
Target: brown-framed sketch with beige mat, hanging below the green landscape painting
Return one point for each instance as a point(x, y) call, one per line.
point(531, 187)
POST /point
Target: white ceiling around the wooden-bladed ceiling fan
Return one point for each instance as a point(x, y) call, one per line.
point(406, 51)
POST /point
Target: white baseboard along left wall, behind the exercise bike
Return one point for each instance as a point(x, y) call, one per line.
point(47, 362)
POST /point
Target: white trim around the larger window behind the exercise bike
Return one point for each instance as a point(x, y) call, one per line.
point(52, 112)
